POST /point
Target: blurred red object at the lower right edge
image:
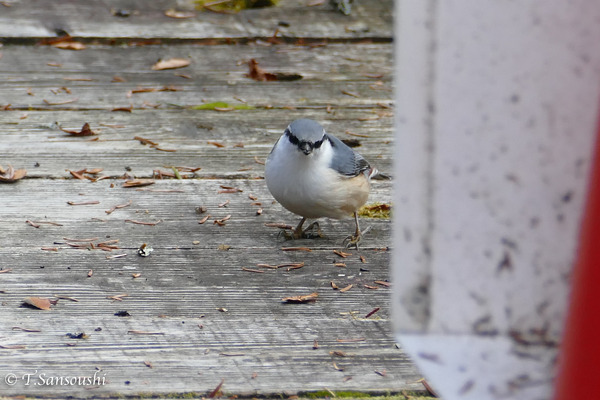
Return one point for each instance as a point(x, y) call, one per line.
point(579, 363)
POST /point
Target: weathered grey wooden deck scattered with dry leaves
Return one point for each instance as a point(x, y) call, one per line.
point(194, 313)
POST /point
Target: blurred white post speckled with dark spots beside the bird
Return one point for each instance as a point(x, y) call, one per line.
point(496, 107)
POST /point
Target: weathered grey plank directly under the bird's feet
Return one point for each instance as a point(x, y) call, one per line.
point(173, 203)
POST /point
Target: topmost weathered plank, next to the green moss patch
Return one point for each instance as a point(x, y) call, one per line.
point(38, 18)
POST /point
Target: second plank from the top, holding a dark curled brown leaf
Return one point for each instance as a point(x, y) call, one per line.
point(335, 75)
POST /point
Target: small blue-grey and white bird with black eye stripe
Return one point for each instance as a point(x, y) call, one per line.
point(314, 174)
